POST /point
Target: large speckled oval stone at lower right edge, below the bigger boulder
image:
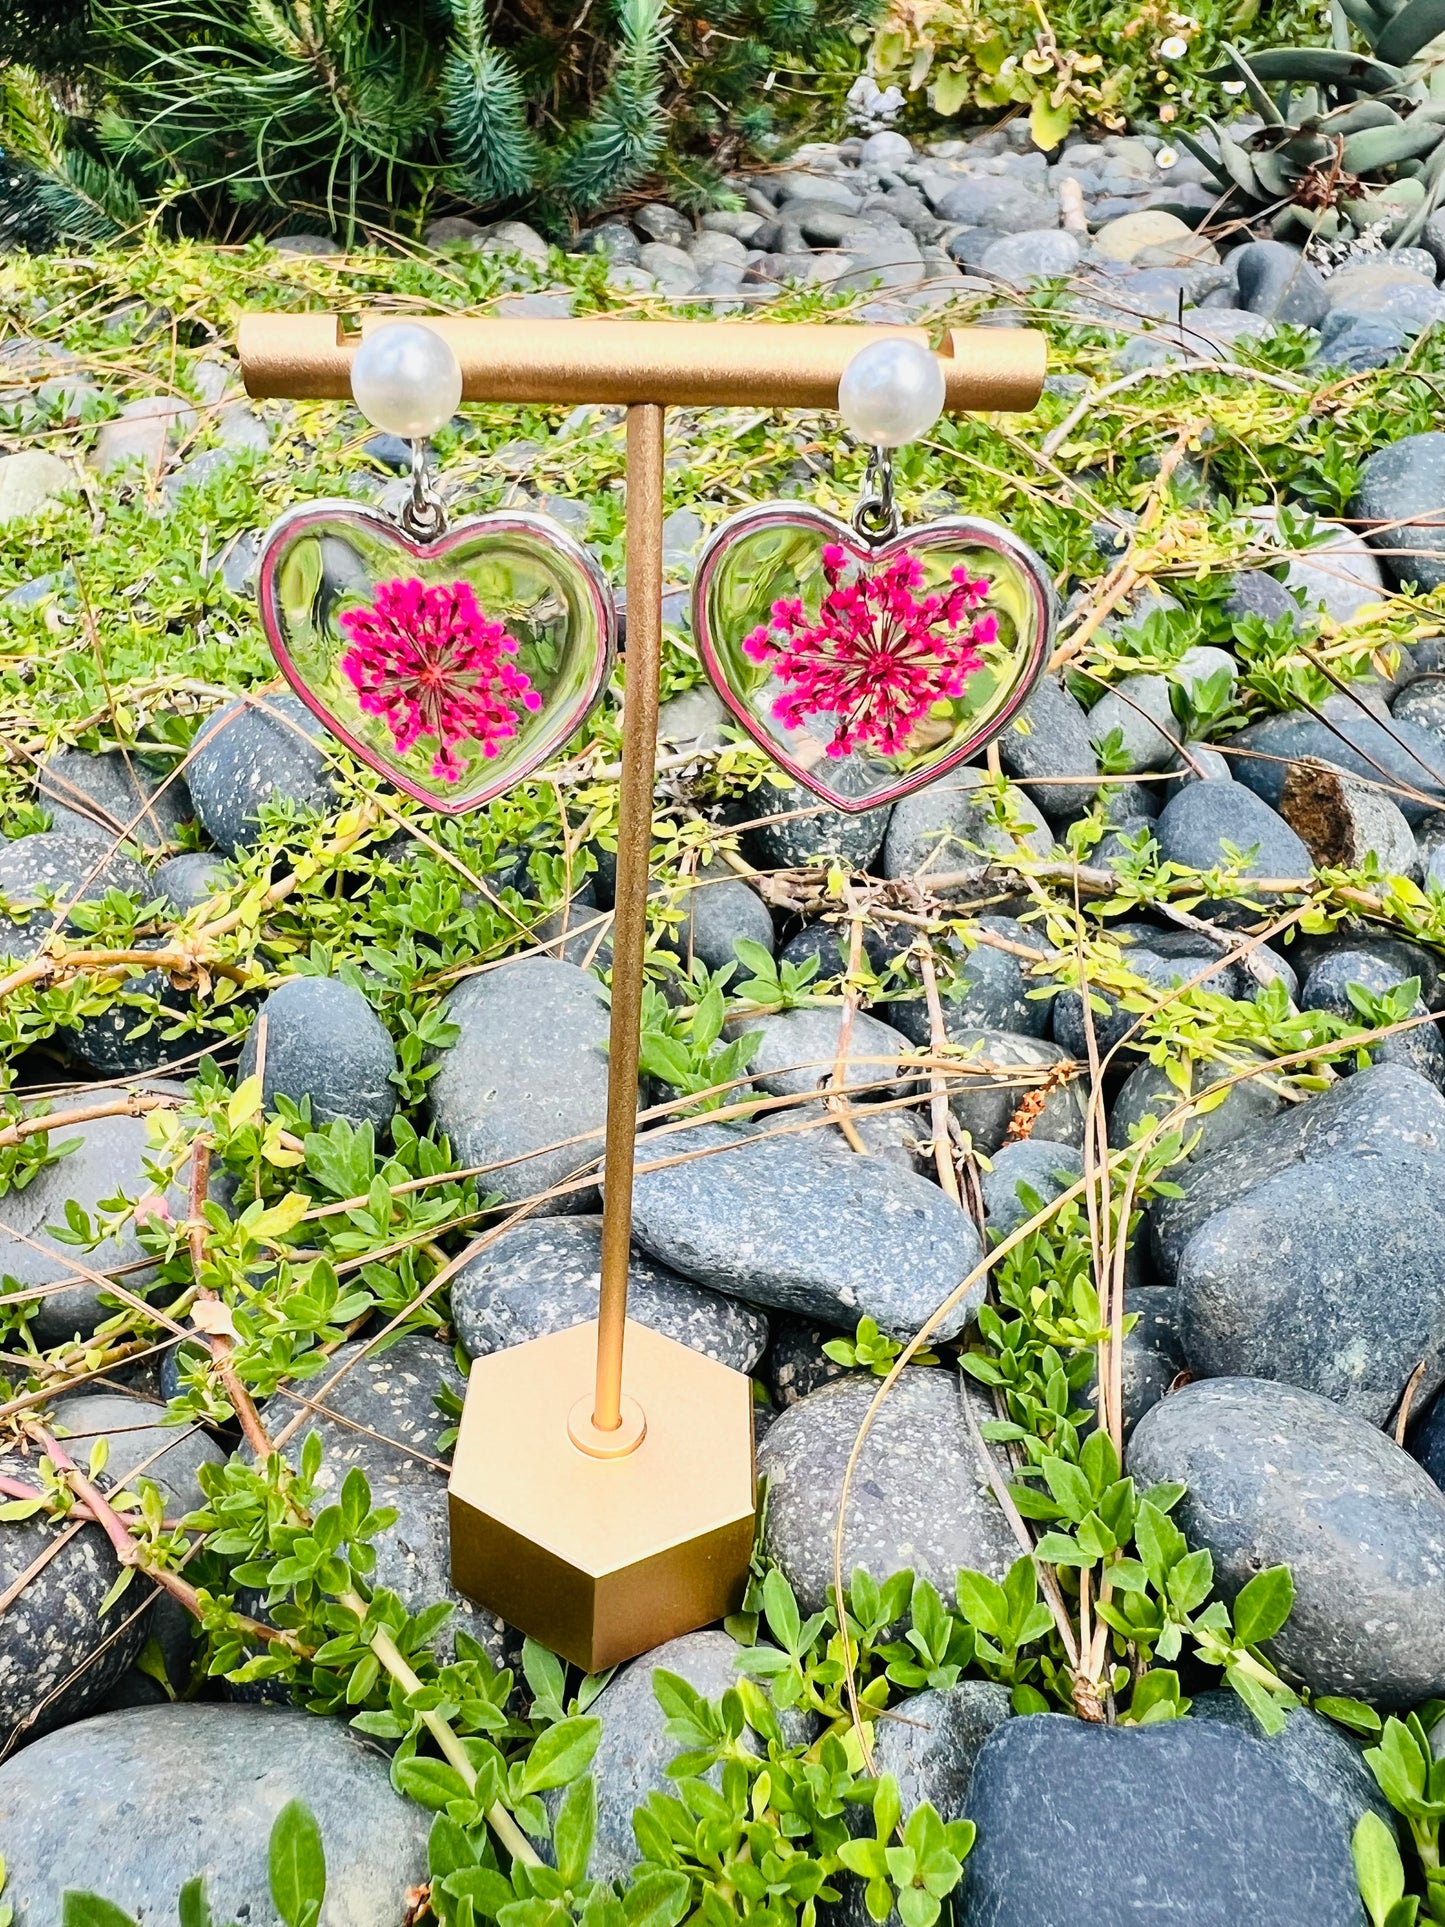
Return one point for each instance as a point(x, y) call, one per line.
point(1282, 1477)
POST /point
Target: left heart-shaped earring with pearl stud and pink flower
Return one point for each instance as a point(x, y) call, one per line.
point(458, 660)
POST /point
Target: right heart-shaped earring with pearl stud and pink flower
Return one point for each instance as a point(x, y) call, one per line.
point(872, 660)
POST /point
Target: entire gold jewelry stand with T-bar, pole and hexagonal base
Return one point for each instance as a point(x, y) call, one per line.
point(614, 1519)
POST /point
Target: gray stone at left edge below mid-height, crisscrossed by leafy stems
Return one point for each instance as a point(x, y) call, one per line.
point(107, 1161)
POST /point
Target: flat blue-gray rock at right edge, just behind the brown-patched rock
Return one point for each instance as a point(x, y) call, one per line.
point(1348, 739)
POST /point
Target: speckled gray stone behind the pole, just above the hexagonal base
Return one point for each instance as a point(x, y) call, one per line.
point(544, 1277)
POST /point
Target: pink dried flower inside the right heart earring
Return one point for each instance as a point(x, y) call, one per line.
point(878, 656)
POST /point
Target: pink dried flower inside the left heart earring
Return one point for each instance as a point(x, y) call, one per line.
point(433, 664)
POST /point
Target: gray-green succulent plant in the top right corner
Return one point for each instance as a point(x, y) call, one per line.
point(1352, 142)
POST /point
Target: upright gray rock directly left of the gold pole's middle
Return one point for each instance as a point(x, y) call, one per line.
point(527, 1076)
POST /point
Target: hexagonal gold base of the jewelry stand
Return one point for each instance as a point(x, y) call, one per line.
point(604, 1558)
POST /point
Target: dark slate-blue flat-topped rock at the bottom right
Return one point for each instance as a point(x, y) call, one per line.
point(1219, 1834)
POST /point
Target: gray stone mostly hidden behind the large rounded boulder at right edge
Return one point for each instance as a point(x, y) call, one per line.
point(1386, 1111)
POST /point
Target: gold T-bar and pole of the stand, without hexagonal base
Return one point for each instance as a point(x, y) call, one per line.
point(646, 367)
